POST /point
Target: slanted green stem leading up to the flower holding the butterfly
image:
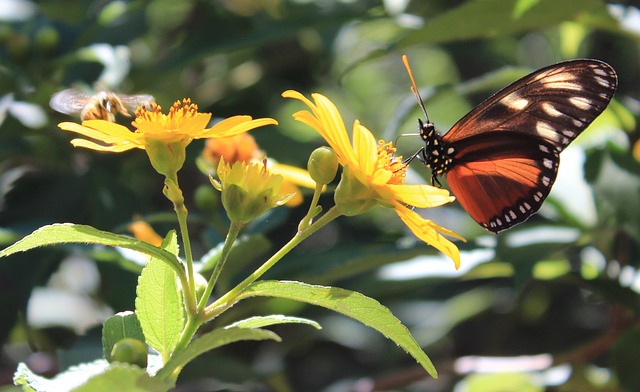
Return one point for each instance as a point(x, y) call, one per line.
point(227, 300)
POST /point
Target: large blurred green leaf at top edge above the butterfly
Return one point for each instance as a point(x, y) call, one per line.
point(481, 19)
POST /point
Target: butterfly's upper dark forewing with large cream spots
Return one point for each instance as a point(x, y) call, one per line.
point(555, 104)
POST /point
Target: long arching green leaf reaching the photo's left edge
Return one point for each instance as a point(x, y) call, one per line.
point(65, 233)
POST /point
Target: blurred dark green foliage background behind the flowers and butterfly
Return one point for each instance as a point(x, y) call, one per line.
point(565, 283)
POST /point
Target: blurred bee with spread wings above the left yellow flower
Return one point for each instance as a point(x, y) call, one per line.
point(103, 105)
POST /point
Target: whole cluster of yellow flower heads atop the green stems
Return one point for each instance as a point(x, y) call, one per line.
point(371, 172)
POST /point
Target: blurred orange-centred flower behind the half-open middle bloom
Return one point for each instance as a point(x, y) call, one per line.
point(243, 148)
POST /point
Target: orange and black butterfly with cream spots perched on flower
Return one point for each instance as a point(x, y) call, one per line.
point(501, 159)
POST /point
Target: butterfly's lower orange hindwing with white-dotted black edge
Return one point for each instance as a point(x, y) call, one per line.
point(500, 180)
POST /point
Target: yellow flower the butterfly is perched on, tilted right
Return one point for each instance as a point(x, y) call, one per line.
point(372, 175)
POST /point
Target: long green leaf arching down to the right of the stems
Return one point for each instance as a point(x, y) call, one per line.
point(350, 303)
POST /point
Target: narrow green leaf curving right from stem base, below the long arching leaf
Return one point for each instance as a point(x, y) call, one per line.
point(212, 340)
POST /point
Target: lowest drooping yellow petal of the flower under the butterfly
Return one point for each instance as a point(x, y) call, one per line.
point(428, 231)
